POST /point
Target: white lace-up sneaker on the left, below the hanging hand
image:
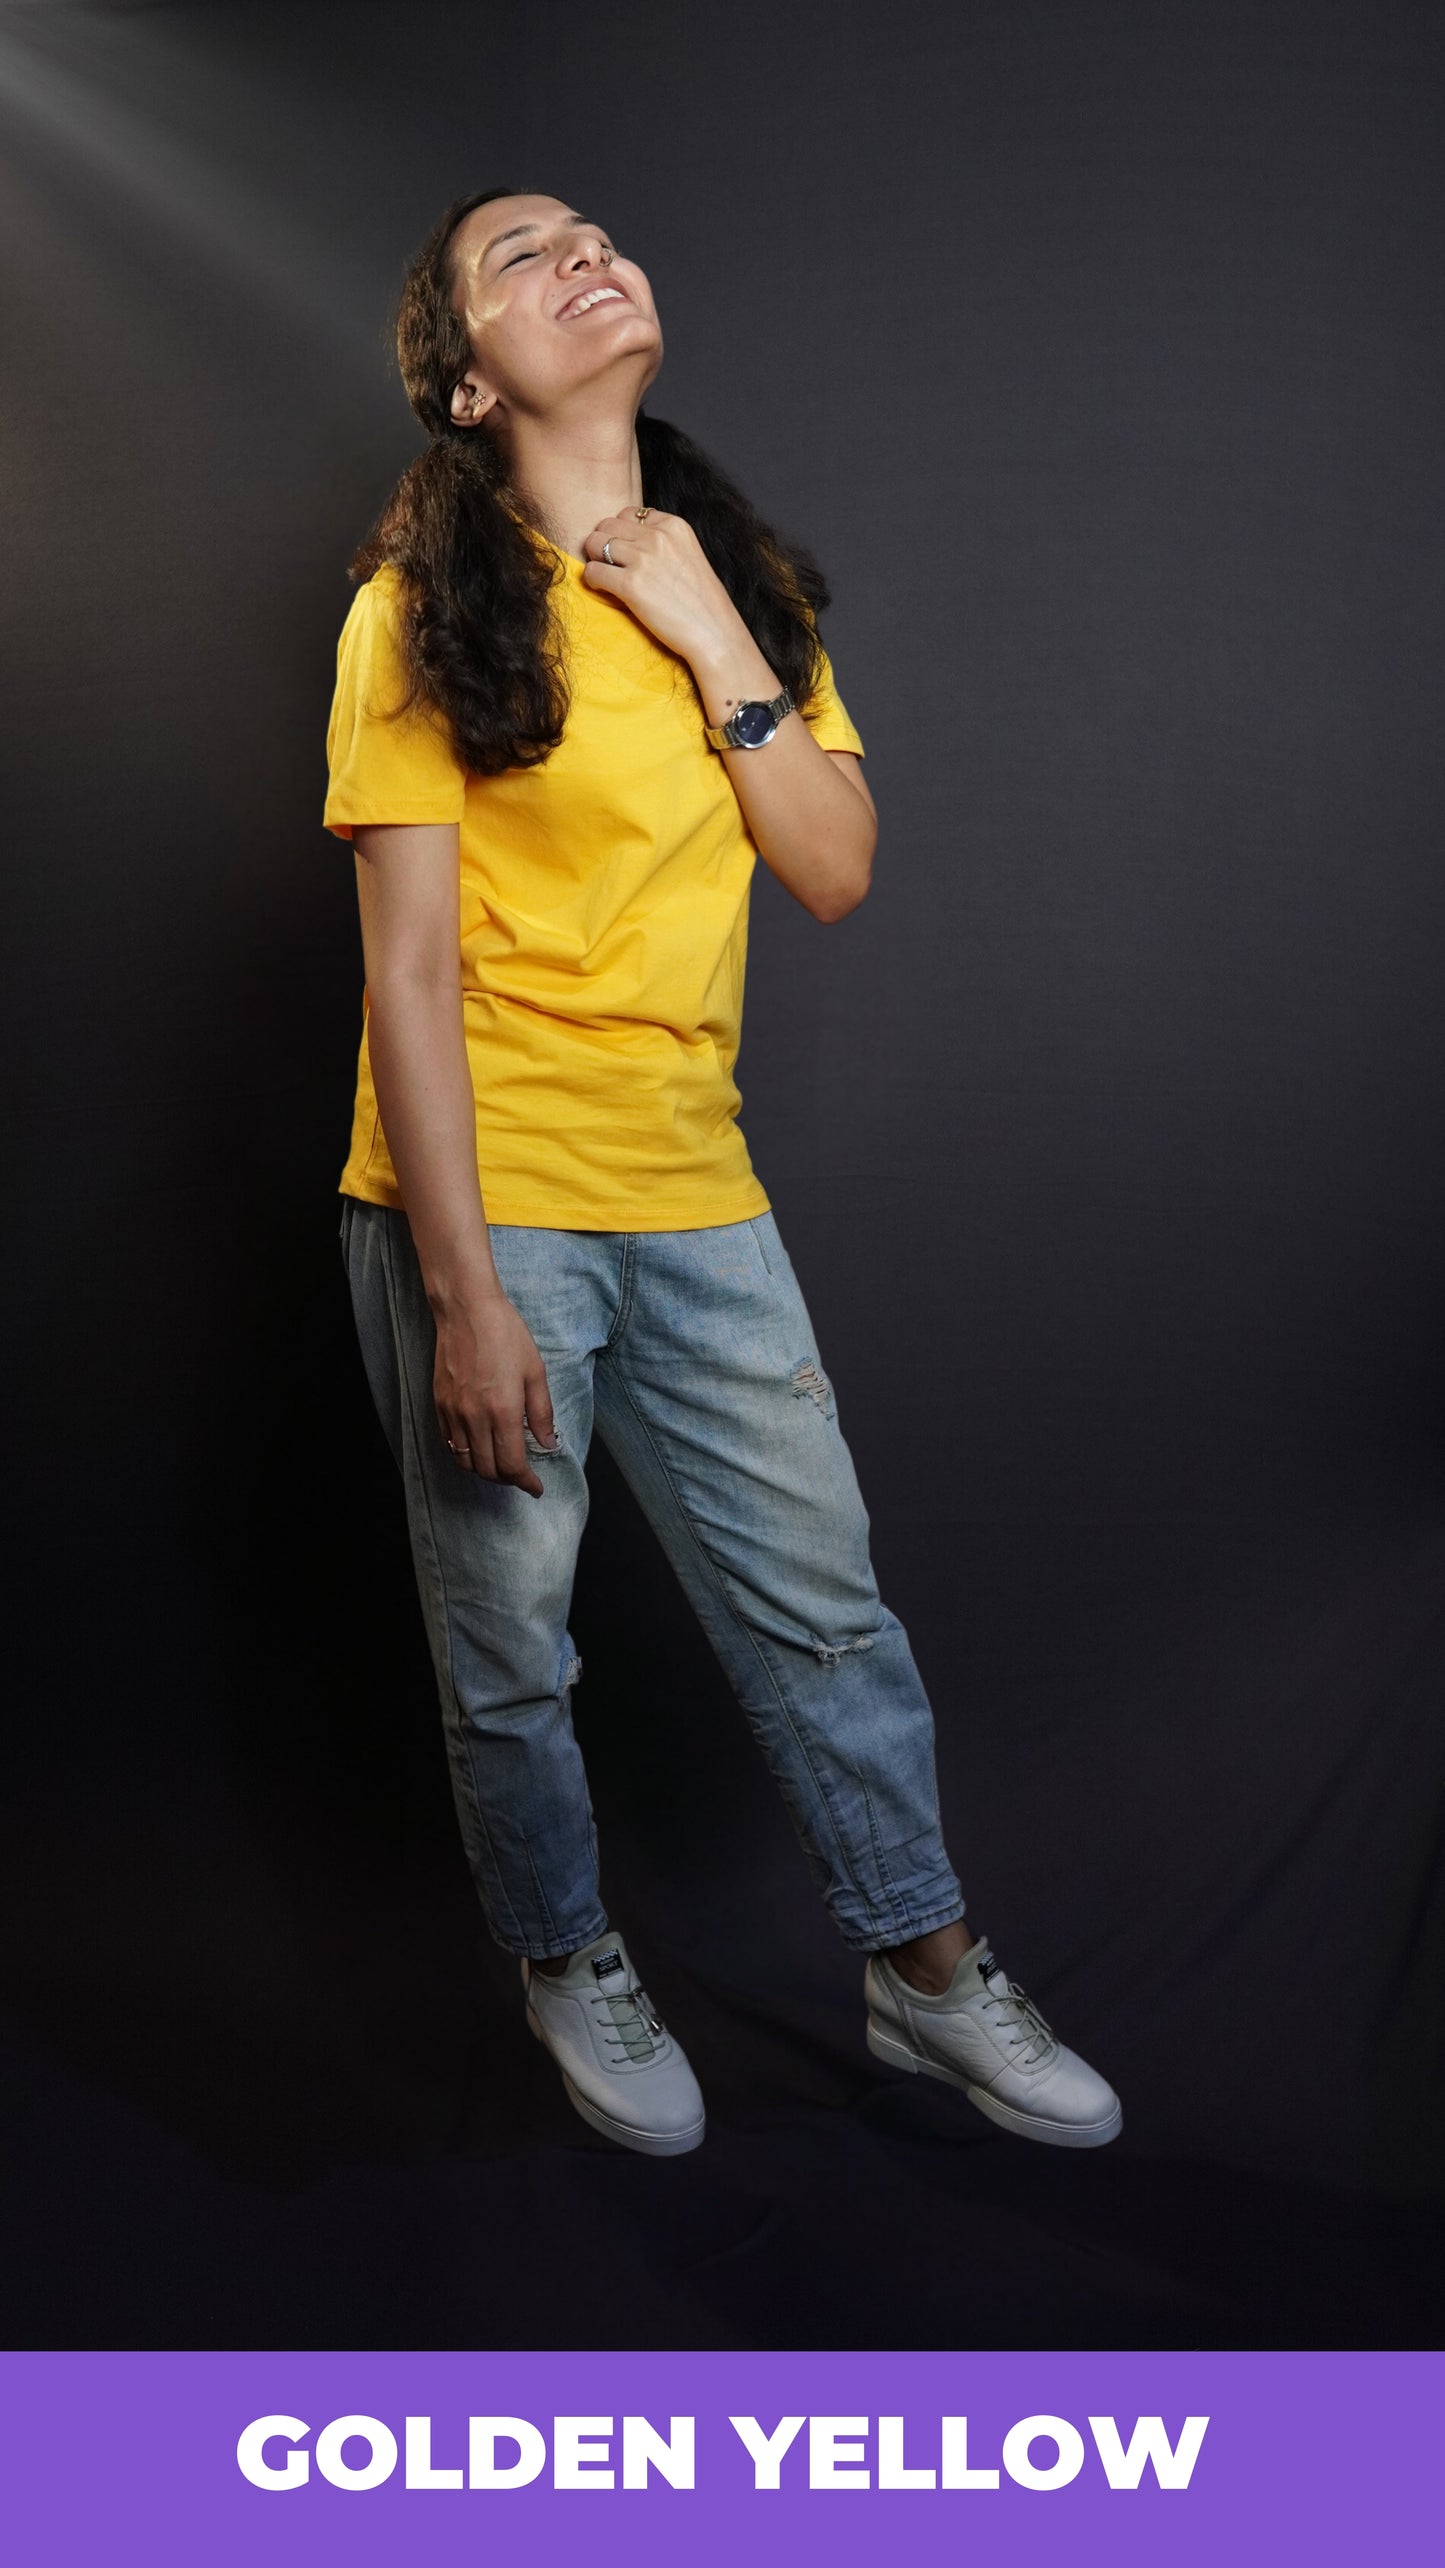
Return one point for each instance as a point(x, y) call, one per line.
point(620, 2066)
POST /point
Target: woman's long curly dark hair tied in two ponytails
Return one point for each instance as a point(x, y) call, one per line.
point(479, 633)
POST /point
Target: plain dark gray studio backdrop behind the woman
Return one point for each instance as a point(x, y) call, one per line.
point(1097, 353)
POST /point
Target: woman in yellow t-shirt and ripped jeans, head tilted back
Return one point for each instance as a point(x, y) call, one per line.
point(579, 695)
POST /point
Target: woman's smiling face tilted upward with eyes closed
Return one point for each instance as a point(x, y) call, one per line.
point(551, 309)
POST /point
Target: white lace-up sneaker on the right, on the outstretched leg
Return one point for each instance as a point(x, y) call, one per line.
point(989, 2038)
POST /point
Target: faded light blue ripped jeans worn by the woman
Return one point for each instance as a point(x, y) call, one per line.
point(694, 1355)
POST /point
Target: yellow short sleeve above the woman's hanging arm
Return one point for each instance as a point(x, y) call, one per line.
point(386, 767)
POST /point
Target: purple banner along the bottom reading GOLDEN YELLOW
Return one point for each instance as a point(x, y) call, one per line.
point(710, 2459)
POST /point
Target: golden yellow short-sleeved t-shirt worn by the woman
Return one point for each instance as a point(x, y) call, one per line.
point(604, 926)
